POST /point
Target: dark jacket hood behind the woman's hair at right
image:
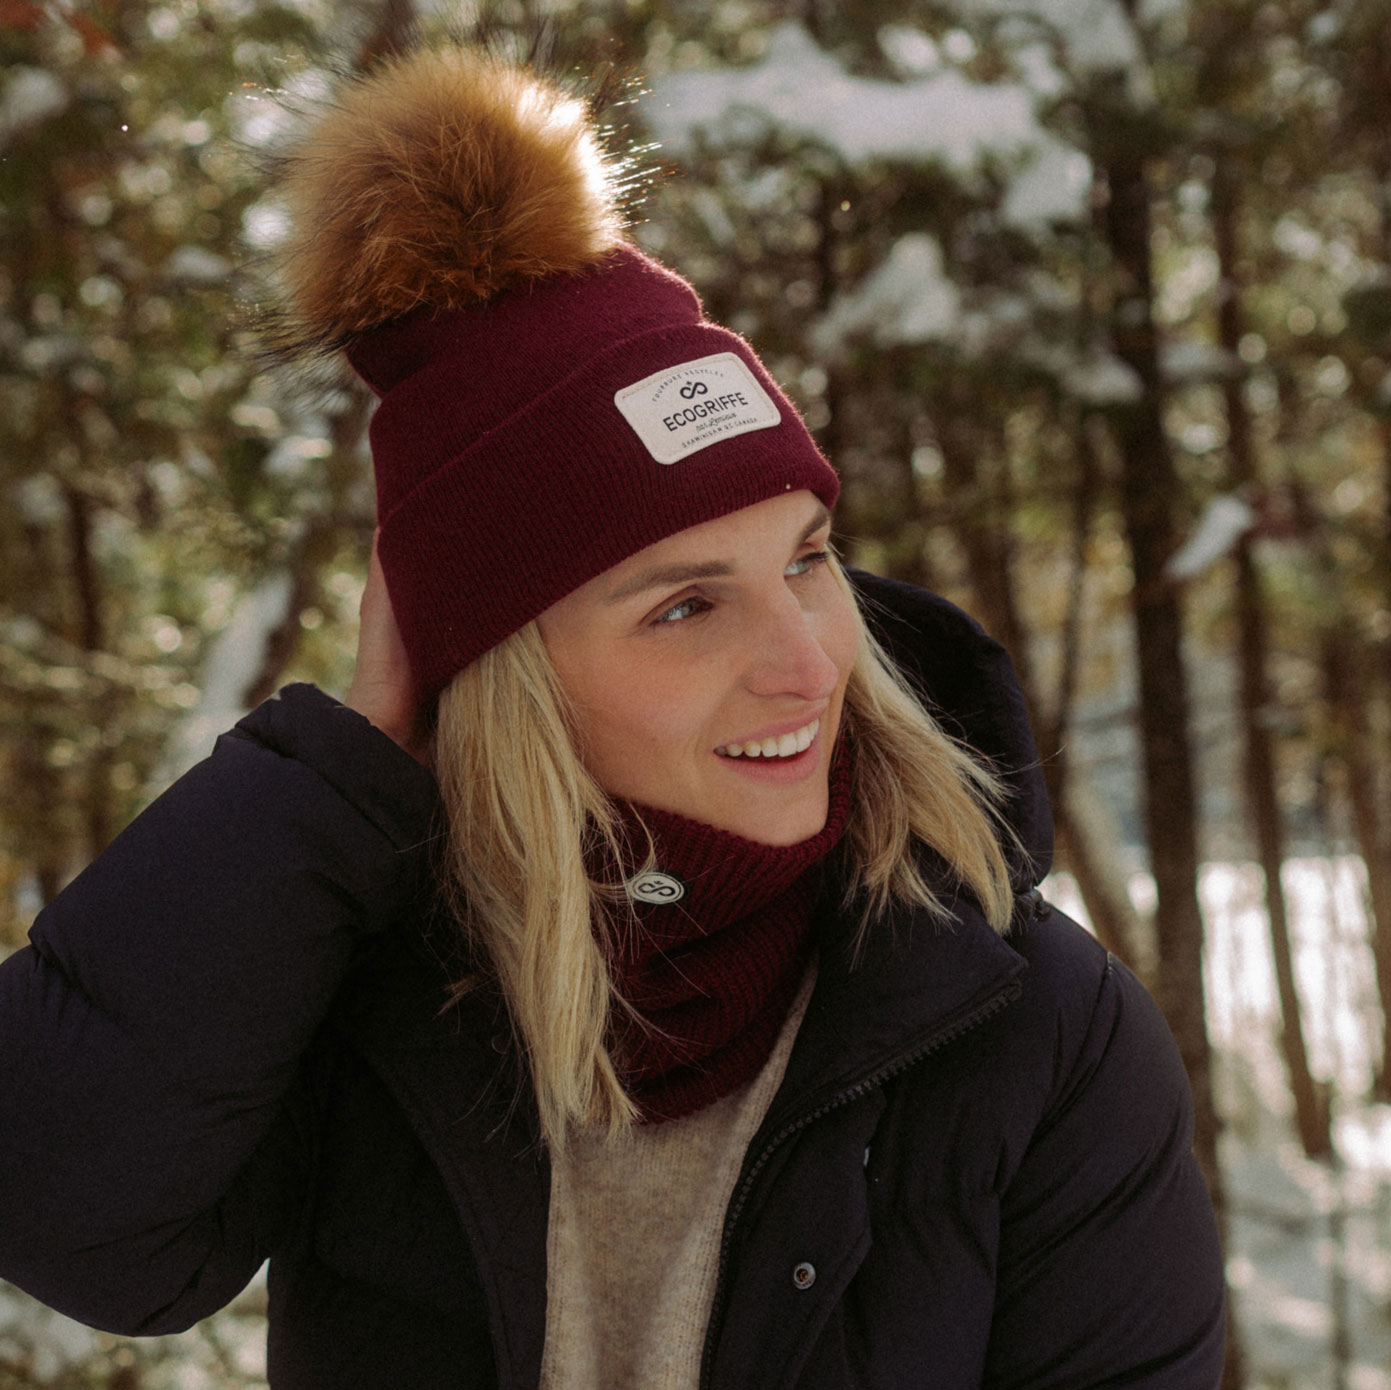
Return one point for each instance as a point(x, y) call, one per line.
point(967, 681)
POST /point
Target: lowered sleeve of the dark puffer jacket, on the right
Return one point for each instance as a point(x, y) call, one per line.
point(1109, 1265)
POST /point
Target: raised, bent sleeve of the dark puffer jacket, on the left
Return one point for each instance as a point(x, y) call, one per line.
point(152, 1036)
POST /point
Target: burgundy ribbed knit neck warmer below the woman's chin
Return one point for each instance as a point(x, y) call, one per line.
point(711, 976)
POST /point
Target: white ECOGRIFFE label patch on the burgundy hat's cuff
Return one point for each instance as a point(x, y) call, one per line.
point(680, 411)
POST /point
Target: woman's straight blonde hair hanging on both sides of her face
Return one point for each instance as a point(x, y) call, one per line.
point(525, 820)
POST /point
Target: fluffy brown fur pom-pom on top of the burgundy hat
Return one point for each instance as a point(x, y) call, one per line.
point(440, 179)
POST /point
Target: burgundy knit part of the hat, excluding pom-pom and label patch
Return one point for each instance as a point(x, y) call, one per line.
point(507, 474)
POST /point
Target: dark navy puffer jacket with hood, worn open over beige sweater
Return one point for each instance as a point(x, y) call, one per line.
point(226, 1044)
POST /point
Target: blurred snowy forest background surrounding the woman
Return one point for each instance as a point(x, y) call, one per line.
point(1088, 300)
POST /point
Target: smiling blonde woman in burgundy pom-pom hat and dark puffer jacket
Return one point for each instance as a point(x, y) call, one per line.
point(739, 1048)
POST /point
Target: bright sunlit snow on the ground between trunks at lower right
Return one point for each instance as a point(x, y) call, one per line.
point(1289, 1265)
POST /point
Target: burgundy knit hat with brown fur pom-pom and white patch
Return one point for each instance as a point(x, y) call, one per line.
point(552, 400)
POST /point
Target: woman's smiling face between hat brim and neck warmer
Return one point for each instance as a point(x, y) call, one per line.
point(709, 671)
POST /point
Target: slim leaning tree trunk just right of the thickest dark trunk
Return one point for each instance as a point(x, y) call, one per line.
point(1255, 699)
